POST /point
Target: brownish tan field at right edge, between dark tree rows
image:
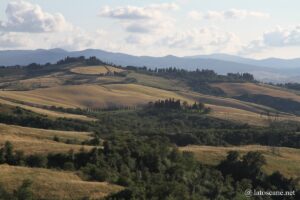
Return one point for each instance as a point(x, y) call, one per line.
point(236, 89)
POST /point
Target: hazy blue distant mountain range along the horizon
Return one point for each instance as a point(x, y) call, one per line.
point(272, 69)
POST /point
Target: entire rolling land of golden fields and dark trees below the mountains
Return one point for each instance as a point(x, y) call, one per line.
point(84, 128)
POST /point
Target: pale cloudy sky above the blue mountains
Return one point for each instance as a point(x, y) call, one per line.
point(249, 28)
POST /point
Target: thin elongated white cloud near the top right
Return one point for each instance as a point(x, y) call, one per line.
point(228, 14)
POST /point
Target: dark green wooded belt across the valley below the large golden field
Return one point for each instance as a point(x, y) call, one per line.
point(182, 127)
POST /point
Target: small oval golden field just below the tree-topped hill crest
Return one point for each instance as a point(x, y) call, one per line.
point(94, 70)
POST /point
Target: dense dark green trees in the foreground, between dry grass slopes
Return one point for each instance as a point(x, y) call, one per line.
point(151, 168)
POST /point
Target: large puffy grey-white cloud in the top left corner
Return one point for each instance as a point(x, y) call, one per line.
point(23, 16)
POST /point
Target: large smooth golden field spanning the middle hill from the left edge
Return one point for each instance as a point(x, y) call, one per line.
point(92, 95)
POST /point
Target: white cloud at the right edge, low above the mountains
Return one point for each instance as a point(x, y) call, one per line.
point(276, 38)
